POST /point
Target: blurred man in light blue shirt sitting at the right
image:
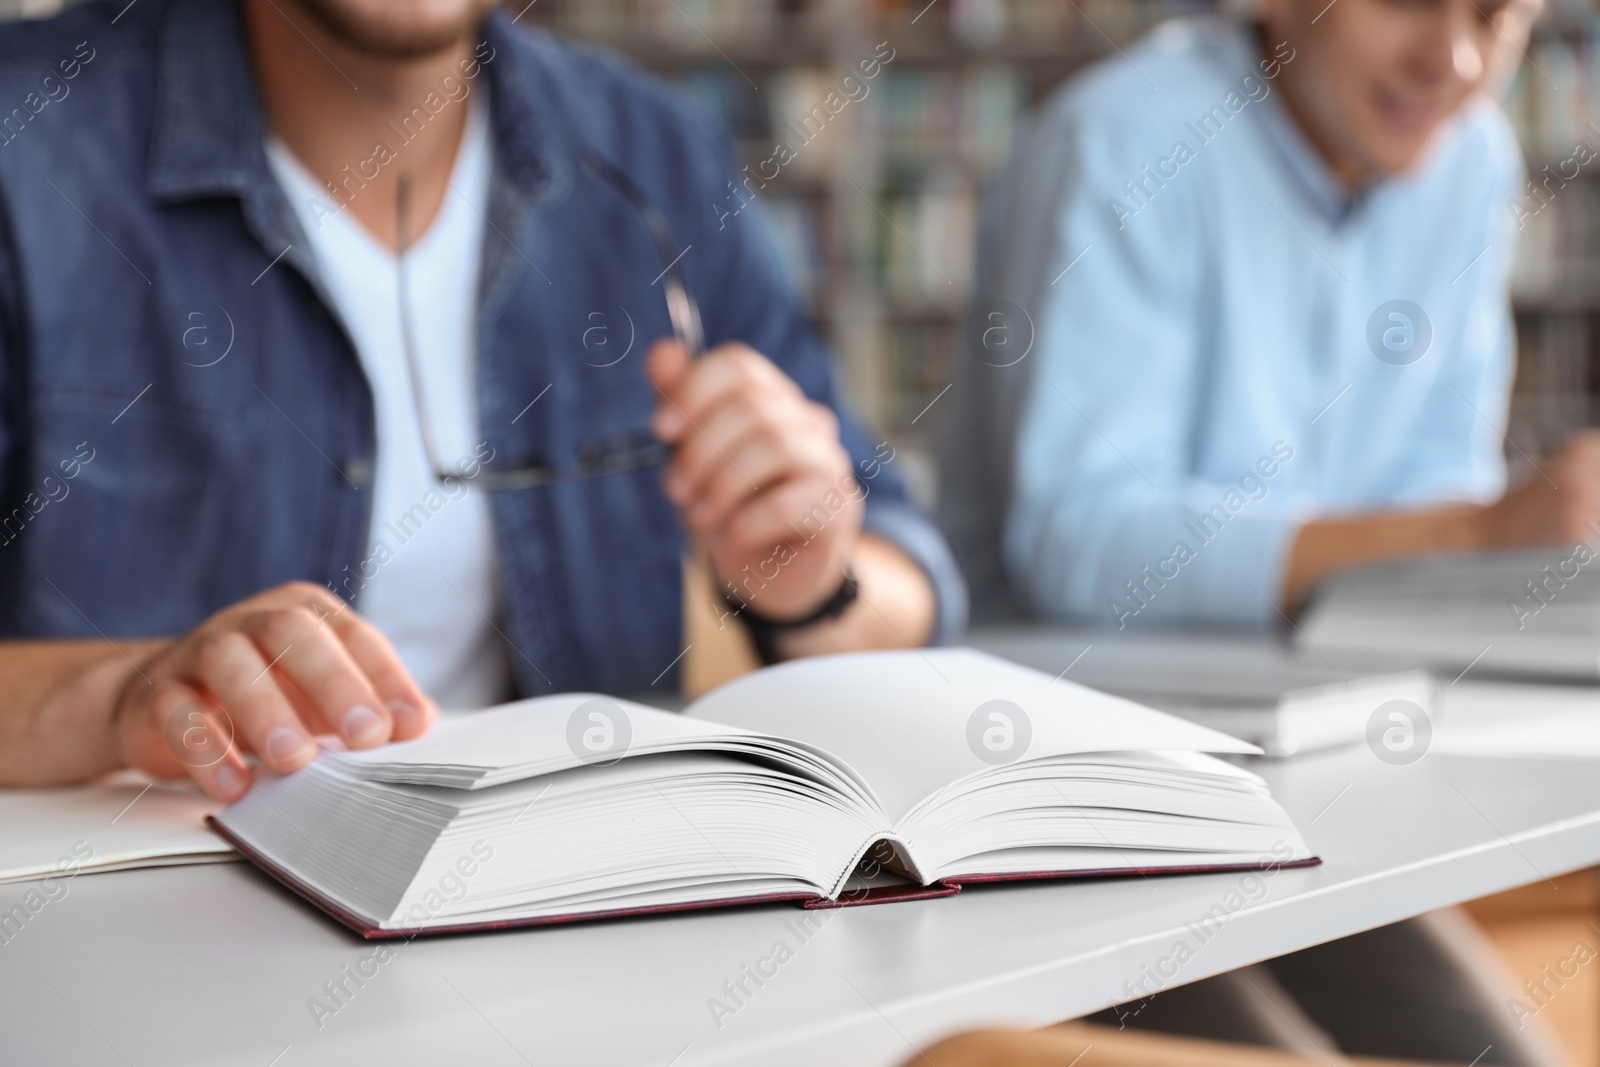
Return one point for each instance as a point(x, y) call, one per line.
point(1266, 273)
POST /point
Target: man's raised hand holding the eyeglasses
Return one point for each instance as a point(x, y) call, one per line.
point(759, 476)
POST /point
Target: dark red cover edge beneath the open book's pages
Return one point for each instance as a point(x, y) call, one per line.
point(878, 895)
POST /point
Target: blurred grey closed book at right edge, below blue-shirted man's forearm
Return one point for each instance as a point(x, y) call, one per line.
point(1529, 612)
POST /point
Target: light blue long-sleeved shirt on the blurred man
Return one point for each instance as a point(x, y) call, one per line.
point(1217, 350)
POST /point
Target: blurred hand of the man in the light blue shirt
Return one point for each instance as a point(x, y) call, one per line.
point(1559, 506)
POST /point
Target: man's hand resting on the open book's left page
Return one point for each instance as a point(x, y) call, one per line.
point(263, 677)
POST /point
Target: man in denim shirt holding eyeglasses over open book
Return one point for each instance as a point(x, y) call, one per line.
point(298, 329)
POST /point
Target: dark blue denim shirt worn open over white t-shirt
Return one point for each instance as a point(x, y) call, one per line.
point(183, 423)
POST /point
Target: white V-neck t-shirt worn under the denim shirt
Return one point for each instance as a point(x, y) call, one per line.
point(428, 575)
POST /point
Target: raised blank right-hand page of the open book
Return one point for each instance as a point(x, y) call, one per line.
point(914, 722)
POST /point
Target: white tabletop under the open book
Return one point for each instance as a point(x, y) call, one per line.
point(215, 965)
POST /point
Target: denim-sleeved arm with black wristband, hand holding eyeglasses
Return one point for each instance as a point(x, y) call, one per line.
point(772, 474)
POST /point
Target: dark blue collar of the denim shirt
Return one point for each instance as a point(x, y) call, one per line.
point(209, 132)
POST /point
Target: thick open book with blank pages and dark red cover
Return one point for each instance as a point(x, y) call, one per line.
point(950, 767)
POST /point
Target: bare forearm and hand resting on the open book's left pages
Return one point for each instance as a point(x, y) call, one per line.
point(263, 676)
